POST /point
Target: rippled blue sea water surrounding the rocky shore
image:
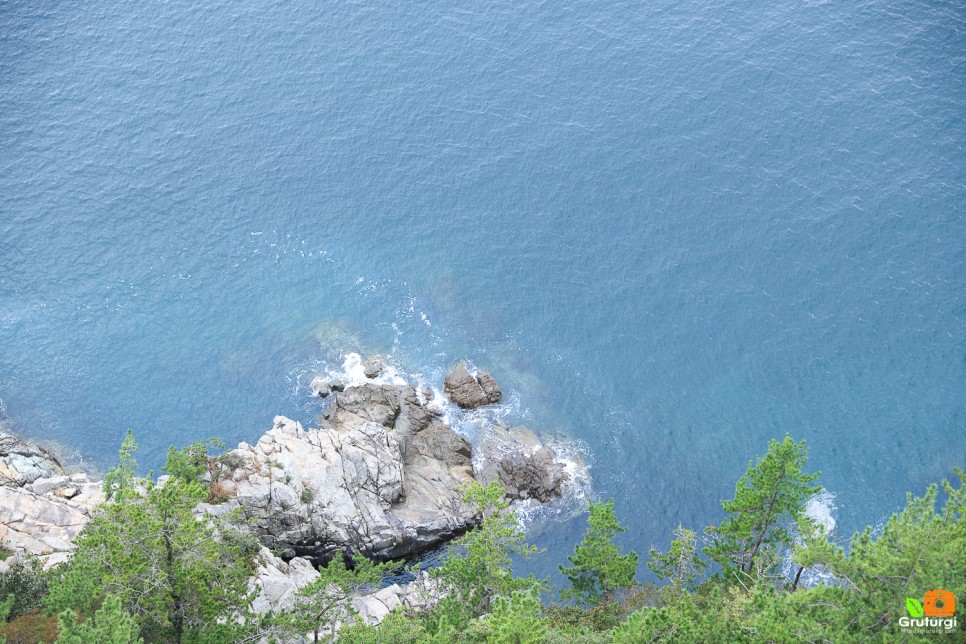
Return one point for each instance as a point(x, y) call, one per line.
point(672, 230)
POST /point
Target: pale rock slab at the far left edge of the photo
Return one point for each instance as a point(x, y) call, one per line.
point(42, 510)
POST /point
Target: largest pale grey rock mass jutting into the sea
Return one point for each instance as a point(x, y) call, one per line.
point(382, 476)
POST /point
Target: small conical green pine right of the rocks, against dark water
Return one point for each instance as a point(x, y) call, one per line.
point(598, 566)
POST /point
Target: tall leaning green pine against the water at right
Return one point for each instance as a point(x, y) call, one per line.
point(769, 497)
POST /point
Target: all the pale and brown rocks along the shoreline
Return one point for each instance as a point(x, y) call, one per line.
point(381, 476)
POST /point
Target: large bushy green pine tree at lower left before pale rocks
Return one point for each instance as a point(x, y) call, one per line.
point(179, 575)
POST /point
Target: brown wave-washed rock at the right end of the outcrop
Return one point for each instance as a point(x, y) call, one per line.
point(523, 464)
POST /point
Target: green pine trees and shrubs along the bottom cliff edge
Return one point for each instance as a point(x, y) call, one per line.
point(150, 568)
